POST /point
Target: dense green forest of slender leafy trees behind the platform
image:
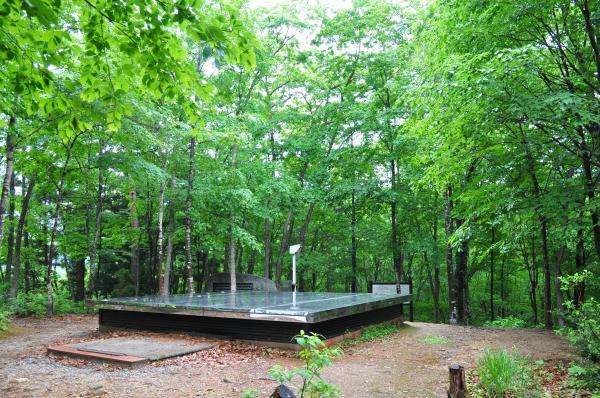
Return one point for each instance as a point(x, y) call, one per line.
point(454, 144)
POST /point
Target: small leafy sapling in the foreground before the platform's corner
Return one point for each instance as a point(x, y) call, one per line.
point(315, 355)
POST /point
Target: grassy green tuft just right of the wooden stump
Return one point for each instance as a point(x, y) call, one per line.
point(502, 373)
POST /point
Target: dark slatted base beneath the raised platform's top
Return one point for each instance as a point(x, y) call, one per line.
point(244, 329)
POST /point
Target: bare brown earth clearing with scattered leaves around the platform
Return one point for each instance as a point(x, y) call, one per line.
point(404, 364)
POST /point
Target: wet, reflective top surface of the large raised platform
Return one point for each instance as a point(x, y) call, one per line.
point(310, 307)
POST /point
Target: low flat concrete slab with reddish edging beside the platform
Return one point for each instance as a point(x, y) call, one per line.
point(131, 351)
